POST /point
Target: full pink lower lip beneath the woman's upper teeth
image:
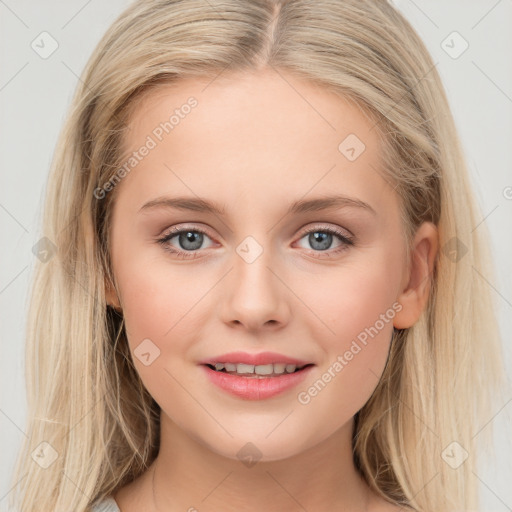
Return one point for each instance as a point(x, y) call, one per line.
point(254, 388)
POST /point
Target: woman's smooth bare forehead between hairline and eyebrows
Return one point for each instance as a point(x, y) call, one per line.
point(251, 133)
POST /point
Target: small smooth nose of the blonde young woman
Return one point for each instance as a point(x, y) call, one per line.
point(255, 295)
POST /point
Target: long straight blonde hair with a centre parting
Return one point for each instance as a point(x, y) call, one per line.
point(85, 397)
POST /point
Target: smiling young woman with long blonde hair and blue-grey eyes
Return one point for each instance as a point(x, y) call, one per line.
point(262, 293)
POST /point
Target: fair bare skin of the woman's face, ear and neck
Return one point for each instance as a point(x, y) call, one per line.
point(255, 144)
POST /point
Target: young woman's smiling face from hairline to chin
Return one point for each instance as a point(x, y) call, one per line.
point(273, 270)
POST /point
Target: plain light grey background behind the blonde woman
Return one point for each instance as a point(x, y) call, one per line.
point(35, 94)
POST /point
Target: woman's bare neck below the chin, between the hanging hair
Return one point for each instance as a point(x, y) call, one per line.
point(187, 475)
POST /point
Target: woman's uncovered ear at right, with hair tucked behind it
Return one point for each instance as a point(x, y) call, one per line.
point(417, 280)
